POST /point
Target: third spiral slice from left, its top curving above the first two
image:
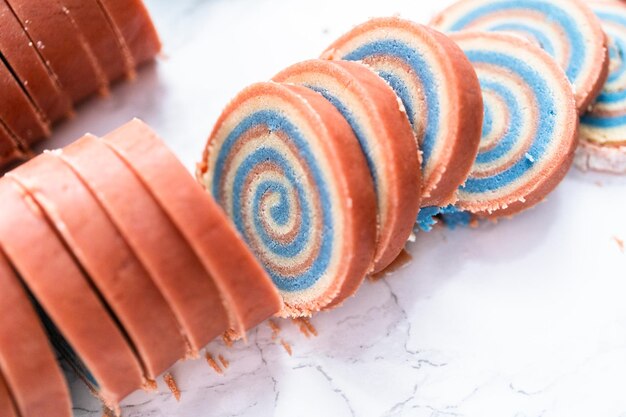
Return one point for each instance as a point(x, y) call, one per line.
point(439, 90)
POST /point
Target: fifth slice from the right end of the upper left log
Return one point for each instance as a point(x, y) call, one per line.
point(18, 113)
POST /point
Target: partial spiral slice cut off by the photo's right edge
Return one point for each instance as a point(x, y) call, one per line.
point(605, 124)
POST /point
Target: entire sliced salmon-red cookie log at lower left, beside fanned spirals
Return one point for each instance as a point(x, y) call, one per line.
point(111, 248)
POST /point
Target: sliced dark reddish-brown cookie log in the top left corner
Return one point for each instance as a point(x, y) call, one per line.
point(56, 53)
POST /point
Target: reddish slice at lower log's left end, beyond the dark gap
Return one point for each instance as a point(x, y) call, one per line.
point(26, 358)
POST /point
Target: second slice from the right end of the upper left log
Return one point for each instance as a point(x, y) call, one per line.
point(92, 21)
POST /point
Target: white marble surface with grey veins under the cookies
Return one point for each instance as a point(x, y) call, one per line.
point(526, 318)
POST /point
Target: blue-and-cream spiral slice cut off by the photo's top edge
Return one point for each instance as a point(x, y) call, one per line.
point(566, 29)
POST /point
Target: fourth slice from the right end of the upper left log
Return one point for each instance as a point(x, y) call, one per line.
point(30, 69)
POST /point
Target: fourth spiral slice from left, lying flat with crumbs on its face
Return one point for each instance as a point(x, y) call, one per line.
point(530, 129)
